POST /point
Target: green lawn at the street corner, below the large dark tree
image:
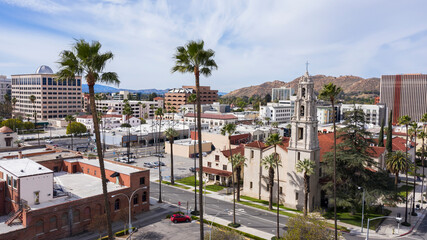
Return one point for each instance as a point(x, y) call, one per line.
point(356, 219)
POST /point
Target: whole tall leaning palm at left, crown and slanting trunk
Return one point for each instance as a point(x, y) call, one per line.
point(85, 59)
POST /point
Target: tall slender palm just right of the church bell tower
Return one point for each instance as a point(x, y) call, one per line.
point(330, 92)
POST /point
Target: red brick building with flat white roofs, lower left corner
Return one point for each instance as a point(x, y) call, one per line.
point(59, 197)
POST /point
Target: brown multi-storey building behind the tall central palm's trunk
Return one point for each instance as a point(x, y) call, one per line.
point(179, 96)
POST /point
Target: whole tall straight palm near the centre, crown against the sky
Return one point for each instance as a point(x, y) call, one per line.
point(193, 58)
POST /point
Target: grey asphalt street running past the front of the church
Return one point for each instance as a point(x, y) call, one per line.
point(247, 216)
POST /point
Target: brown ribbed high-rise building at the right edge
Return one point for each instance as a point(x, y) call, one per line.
point(405, 94)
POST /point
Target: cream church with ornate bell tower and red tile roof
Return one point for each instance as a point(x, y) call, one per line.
point(303, 144)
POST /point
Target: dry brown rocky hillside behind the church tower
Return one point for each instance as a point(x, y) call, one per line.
point(350, 84)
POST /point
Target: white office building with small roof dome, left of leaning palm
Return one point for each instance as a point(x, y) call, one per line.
point(54, 98)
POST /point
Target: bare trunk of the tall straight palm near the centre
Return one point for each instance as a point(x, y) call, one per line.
point(199, 135)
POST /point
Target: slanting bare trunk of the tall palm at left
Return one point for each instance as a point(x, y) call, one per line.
point(101, 160)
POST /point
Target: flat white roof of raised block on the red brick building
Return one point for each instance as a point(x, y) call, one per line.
point(23, 167)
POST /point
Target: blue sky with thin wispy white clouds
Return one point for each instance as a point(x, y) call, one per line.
point(254, 41)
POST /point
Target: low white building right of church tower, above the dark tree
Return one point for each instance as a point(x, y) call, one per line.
point(375, 114)
